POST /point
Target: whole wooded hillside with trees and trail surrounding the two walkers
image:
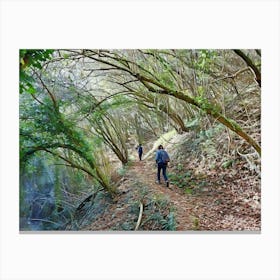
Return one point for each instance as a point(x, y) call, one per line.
point(84, 112)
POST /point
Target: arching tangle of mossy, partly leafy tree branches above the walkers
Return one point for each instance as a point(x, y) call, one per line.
point(84, 110)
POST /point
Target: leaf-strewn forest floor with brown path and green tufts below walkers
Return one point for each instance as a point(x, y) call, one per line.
point(218, 201)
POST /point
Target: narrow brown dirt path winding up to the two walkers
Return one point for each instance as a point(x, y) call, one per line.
point(145, 172)
